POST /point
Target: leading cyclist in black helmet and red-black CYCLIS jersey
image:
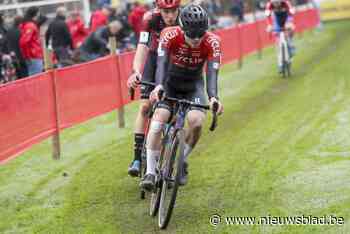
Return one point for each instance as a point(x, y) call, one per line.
point(183, 51)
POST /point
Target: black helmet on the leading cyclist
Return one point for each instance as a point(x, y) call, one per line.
point(194, 21)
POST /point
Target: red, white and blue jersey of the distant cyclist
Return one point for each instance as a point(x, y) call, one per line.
point(279, 15)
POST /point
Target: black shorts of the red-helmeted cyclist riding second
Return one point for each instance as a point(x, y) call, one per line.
point(149, 74)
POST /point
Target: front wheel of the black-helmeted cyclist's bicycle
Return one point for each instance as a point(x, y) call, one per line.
point(173, 163)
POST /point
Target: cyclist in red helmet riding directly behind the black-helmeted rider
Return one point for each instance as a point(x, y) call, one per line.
point(154, 21)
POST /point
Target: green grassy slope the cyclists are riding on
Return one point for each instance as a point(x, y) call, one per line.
point(282, 148)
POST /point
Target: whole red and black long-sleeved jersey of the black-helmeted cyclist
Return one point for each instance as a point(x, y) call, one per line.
point(181, 66)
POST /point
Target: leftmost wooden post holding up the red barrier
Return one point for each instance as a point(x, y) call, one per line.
point(56, 151)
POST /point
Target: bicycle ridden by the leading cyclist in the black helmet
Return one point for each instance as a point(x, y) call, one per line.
point(170, 164)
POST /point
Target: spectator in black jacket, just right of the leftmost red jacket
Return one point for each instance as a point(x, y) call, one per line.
point(58, 37)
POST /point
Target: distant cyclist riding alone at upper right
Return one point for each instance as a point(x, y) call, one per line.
point(280, 16)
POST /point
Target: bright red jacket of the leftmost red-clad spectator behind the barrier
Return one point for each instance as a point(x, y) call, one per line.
point(29, 41)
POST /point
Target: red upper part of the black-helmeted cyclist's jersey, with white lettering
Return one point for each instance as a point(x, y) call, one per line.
point(184, 56)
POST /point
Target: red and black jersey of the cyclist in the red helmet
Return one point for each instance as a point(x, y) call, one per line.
point(151, 27)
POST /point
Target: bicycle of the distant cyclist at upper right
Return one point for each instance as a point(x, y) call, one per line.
point(284, 56)
